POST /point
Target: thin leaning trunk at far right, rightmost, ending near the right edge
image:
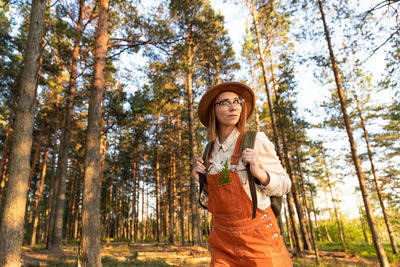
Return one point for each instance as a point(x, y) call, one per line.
point(377, 186)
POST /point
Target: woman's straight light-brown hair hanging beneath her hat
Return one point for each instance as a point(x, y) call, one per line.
point(213, 127)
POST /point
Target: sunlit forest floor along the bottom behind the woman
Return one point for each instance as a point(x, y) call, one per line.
point(151, 254)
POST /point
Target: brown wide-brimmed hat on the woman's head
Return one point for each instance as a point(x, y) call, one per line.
point(239, 88)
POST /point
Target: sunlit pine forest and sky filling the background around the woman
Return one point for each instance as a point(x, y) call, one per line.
point(99, 128)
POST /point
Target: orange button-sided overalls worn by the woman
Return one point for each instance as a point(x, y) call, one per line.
point(236, 239)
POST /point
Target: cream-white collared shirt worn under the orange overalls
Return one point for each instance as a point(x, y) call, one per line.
point(279, 184)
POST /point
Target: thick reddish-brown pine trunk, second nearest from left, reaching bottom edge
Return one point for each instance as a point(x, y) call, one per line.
point(91, 232)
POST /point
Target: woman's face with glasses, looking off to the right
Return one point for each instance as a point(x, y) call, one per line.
point(227, 109)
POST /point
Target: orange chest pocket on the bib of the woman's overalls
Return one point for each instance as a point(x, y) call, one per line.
point(223, 200)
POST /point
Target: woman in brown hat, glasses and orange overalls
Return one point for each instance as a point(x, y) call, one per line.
point(236, 238)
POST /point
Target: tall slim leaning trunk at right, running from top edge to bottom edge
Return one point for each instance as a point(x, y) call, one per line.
point(357, 164)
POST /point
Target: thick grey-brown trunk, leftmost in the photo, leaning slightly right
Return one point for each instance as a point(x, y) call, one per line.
point(12, 224)
